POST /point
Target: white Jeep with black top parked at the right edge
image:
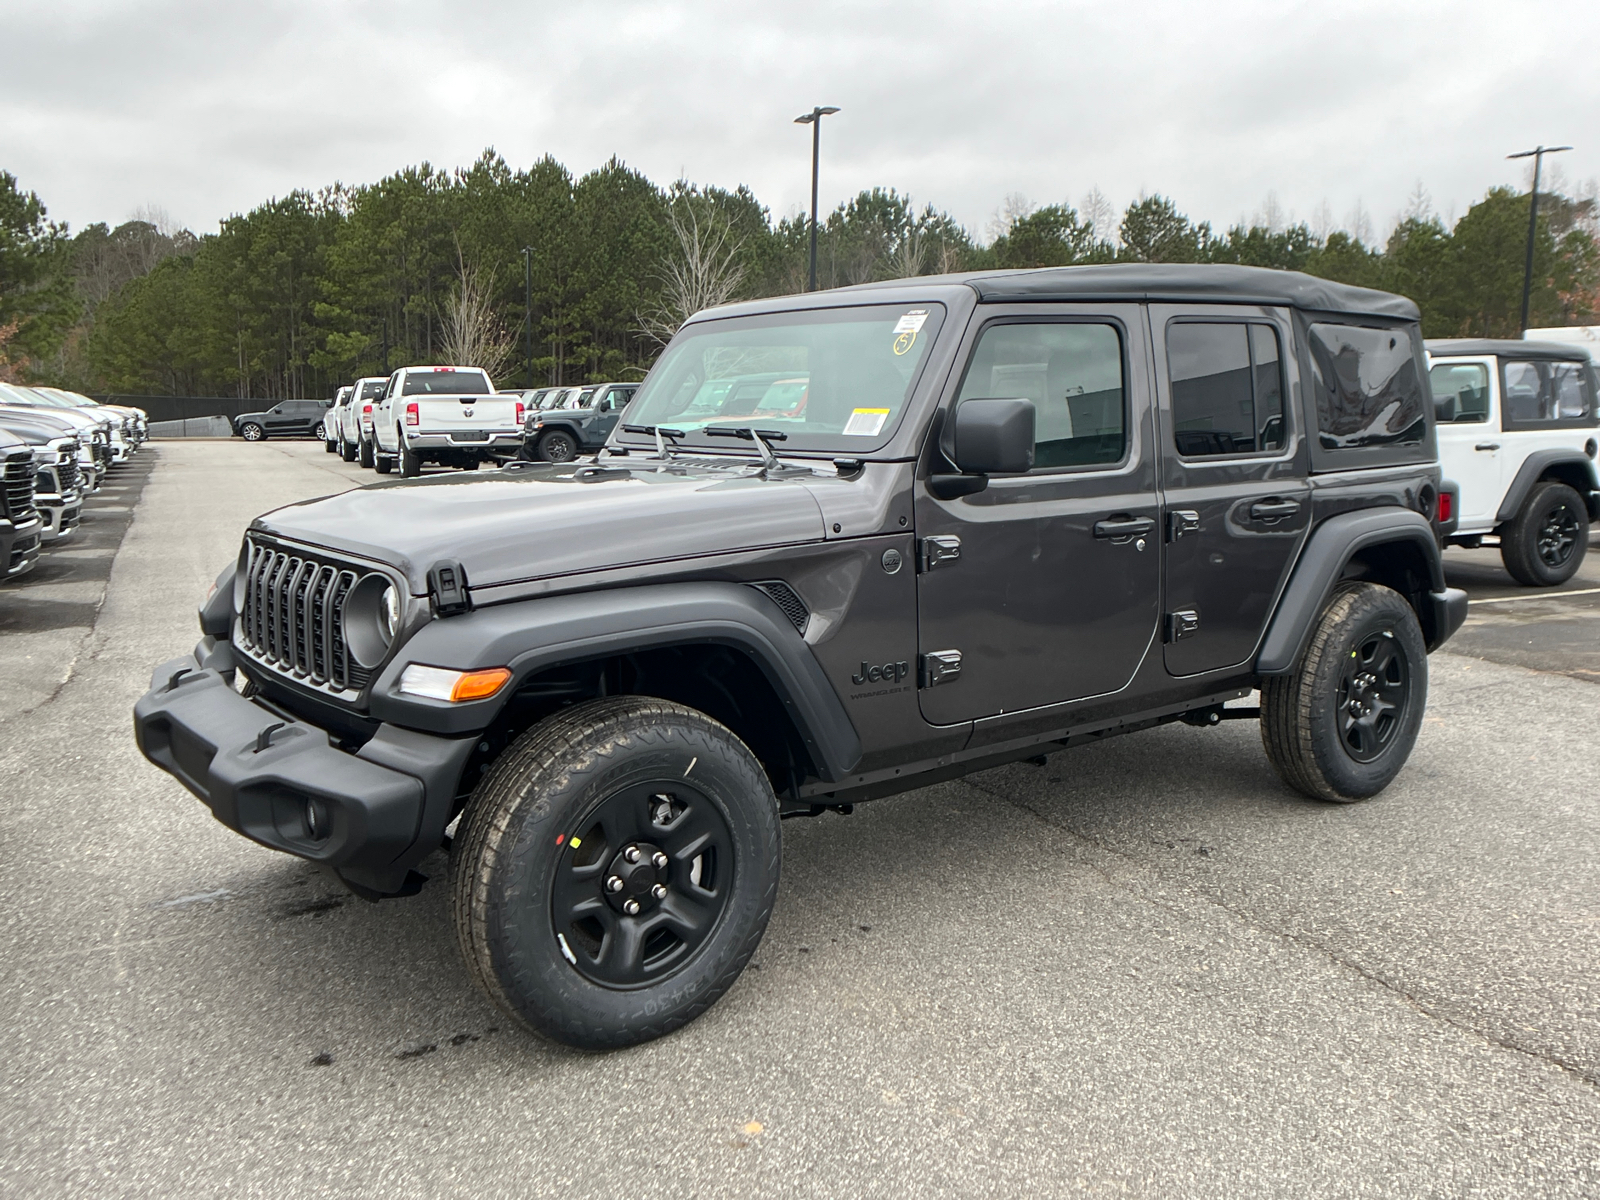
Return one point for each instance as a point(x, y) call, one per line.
point(1518, 434)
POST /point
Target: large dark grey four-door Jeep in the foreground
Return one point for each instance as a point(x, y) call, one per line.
point(847, 545)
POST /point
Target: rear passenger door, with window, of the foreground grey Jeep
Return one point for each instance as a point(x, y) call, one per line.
point(1234, 478)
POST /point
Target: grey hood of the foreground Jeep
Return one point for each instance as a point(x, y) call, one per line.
point(548, 521)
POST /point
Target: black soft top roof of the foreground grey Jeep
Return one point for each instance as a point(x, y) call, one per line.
point(1180, 282)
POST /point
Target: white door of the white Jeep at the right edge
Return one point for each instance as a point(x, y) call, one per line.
point(1471, 449)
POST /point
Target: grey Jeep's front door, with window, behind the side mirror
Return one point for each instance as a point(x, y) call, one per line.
point(1044, 588)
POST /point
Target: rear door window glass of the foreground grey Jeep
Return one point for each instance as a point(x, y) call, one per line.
point(1226, 386)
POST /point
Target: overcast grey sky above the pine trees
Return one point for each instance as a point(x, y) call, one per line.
point(206, 110)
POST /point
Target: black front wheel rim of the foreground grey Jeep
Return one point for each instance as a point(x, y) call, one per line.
point(642, 884)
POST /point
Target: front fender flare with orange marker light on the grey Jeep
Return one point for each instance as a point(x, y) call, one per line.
point(534, 636)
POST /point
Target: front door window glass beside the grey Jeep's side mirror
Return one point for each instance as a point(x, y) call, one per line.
point(1073, 374)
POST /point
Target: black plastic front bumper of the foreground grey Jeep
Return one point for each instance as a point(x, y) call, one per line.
point(369, 817)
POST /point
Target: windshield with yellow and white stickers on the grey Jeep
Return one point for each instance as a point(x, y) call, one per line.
point(831, 380)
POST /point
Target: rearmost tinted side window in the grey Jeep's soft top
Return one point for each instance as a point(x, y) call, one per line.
point(1369, 390)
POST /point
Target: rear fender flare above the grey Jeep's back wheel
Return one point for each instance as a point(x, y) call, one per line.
point(1327, 553)
